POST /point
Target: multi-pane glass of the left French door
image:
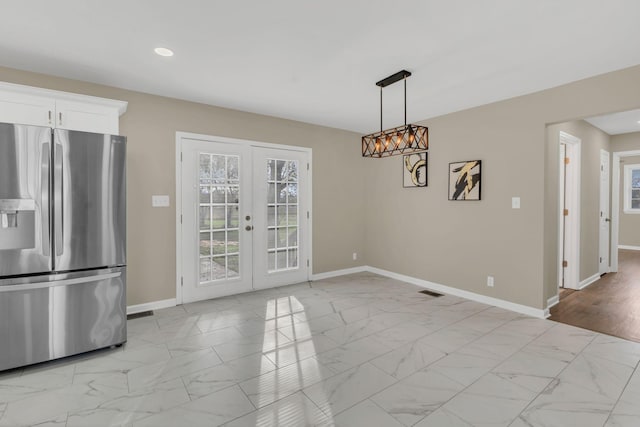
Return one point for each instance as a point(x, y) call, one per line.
point(218, 217)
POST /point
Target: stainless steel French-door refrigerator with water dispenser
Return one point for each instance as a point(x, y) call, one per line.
point(62, 243)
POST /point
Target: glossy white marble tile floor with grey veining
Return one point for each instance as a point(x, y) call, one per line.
point(358, 350)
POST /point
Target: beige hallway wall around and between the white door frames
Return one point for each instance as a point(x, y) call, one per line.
point(593, 140)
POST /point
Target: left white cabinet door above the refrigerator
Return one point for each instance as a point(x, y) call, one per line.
point(26, 109)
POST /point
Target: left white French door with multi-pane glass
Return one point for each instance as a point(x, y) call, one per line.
point(216, 200)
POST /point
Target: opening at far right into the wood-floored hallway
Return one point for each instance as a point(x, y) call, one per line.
point(607, 298)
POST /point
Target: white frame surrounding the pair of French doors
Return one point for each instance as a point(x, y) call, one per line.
point(189, 135)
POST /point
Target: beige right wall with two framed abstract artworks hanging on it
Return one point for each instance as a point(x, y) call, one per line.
point(418, 232)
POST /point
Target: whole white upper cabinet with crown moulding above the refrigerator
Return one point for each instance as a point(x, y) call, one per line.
point(43, 107)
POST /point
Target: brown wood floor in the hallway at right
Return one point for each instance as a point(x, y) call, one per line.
point(611, 305)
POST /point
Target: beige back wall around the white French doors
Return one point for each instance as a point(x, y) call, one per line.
point(150, 124)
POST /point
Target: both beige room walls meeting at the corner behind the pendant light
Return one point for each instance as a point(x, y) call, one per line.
point(360, 205)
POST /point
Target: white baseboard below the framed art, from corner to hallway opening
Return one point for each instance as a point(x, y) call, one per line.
point(518, 308)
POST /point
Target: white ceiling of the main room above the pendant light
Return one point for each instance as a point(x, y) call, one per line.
point(318, 61)
